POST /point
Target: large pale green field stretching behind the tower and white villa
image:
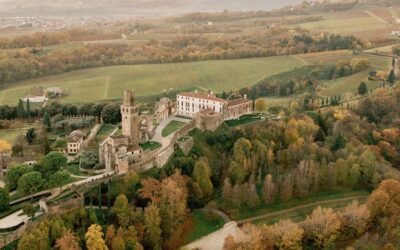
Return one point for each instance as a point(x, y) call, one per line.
point(102, 83)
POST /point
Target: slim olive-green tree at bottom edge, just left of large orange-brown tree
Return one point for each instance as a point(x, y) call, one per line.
point(152, 222)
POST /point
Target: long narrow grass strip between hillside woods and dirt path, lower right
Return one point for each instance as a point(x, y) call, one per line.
point(246, 212)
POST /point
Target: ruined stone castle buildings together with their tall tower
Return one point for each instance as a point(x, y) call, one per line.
point(118, 151)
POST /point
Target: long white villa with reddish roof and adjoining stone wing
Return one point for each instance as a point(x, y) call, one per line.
point(189, 104)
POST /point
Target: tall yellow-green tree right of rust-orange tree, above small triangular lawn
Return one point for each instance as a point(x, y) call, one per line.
point(202, 176)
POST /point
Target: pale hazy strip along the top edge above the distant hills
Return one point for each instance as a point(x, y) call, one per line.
point(38, 7)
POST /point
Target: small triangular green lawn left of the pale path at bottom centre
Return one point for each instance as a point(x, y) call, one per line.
point(203, 224)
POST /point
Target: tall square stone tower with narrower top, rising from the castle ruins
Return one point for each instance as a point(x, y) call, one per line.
point(130, 117)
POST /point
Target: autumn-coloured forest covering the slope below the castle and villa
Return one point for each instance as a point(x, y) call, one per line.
point(258, 165)
